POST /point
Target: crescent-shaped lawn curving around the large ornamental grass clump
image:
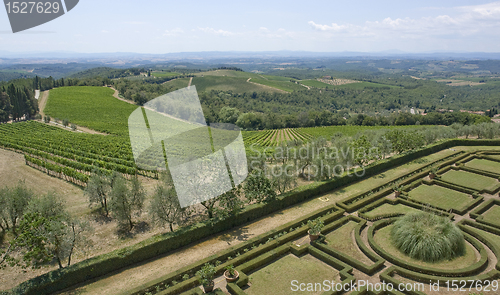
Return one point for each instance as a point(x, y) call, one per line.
point(384, 240)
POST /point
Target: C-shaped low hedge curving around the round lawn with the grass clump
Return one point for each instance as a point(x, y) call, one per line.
point(475, 268)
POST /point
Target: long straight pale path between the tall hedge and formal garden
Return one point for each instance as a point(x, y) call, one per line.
point(152, 269)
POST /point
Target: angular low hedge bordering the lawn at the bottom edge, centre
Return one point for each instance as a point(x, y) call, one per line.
point(345, 270)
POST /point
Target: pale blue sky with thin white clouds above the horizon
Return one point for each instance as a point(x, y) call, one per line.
point(165, 26)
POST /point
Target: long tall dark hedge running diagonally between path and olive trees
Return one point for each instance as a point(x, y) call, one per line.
point(94, 267)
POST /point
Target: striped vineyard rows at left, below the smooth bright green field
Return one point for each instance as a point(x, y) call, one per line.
point(71, 156)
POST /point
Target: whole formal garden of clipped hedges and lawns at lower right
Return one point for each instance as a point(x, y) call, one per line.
point(436, 226)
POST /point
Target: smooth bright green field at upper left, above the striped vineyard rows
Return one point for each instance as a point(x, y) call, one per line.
point(92, 107)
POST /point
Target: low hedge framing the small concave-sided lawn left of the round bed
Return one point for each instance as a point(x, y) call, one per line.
point(368, 269)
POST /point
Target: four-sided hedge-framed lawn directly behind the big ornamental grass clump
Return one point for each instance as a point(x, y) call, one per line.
point(440, 197)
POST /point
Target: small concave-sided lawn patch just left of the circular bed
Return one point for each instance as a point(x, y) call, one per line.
point(342, 239)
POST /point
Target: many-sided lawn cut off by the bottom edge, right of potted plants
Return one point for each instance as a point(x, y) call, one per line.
point(276, 277)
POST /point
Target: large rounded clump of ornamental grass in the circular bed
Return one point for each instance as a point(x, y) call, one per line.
point(428, 237)
